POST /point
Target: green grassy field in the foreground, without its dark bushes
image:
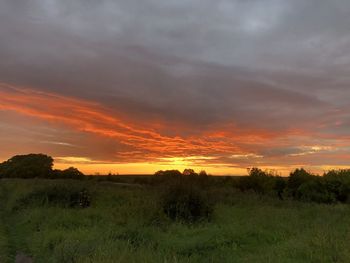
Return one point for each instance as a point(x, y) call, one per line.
point(125, 224)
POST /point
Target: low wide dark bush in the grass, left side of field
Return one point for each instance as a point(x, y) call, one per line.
point(58, 196)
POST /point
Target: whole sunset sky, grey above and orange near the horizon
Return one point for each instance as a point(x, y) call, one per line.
point(128, 87)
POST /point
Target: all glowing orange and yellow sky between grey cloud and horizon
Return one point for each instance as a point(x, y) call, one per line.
point(120, 145)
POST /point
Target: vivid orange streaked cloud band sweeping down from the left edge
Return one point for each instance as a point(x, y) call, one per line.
point(91, 117)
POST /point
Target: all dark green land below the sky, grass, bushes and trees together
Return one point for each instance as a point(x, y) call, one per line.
point(172, 216)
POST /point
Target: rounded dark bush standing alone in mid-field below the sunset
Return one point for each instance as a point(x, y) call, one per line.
point(184, 201)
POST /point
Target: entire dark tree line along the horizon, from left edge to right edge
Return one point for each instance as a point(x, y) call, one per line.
point(331, 187)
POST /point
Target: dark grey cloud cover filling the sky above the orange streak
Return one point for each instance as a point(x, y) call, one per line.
point(259, 64)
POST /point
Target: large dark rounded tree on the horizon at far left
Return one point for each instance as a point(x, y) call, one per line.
point(27, 166)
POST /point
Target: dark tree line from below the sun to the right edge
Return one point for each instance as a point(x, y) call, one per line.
point(331, 187)
